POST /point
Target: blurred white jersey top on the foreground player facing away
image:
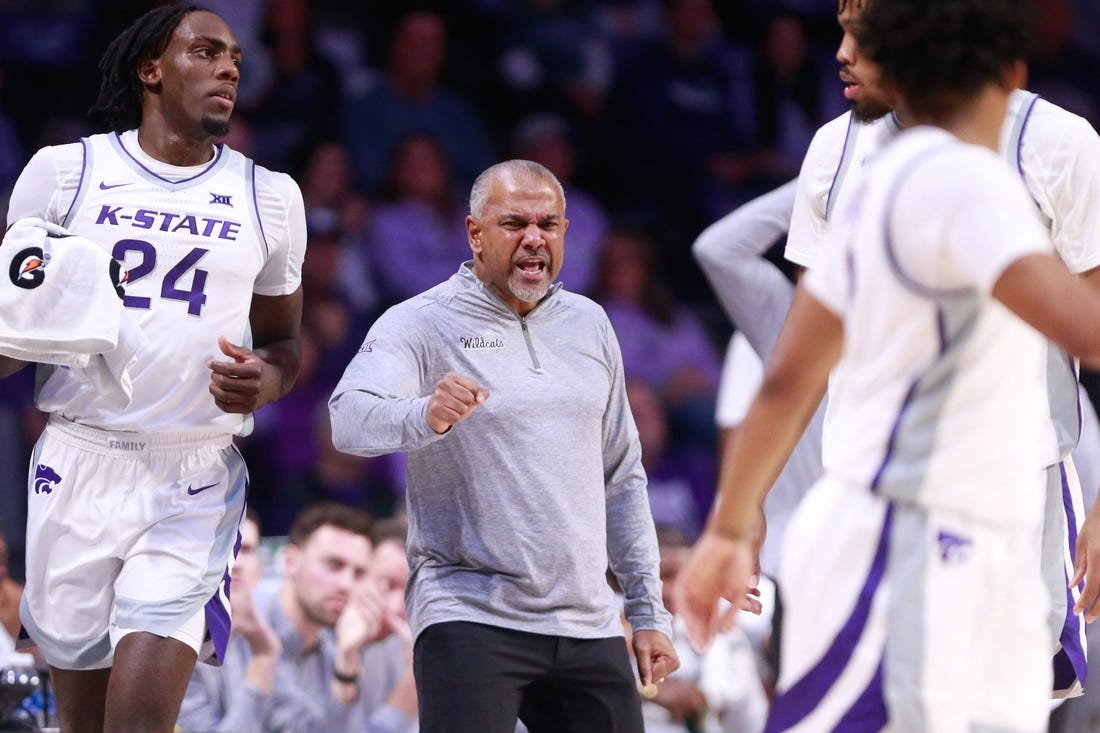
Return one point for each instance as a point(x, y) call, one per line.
point(943, 402)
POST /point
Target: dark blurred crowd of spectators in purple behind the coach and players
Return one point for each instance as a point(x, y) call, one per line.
point(658, 116)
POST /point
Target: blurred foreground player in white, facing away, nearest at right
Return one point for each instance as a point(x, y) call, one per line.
point(911, 596)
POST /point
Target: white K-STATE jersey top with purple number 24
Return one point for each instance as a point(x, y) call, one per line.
point(196, 248)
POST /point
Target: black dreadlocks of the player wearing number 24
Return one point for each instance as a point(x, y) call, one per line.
point(120, 92)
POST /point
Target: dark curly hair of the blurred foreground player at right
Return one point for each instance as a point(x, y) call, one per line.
point(939, 51)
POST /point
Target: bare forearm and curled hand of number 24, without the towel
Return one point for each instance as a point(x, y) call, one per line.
point(267, 373)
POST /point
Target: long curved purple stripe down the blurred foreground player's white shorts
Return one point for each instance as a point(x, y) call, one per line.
point(798, 702)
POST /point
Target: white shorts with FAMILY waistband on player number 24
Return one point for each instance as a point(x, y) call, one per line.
point(129, 532)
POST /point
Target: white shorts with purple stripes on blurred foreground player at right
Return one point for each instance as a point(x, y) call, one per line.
point(909, 620)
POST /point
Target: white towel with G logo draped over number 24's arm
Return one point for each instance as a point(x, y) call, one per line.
point(60, 304)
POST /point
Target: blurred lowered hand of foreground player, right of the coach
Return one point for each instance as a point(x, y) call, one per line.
point(719, 567)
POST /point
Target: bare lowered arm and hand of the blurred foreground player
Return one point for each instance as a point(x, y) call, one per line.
point(795, 384)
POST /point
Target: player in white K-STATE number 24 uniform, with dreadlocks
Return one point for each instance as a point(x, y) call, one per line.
point(133, 529)
